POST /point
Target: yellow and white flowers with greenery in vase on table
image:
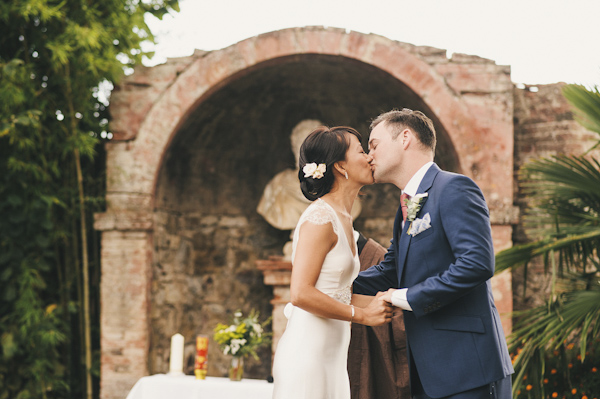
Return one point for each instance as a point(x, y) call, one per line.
point(243, 336)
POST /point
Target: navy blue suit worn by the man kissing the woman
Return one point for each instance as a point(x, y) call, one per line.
point(455, 338)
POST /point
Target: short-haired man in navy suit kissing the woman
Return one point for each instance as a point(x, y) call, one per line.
point(438, 267)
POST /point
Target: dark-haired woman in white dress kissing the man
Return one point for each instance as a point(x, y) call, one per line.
point(311, 356)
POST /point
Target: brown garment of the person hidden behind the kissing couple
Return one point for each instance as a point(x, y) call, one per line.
point(377, 362)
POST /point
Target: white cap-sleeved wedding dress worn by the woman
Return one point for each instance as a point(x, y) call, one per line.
point(311, 356)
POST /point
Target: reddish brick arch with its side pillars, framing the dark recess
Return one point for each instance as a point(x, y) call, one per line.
point(470, 97)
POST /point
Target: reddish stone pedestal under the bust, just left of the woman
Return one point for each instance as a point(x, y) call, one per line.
point(277, 272)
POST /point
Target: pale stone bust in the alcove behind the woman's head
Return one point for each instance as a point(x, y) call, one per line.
point(282, 201)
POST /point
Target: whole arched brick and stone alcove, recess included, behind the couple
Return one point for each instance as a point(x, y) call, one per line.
point(197, 139)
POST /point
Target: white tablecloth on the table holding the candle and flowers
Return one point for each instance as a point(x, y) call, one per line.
point(162, 386)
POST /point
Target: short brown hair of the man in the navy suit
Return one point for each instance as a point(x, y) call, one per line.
point(416, 121)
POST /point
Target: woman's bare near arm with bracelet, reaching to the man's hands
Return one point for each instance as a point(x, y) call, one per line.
point(314, 242)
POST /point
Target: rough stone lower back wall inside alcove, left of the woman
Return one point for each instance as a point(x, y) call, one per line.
point(203, 271)
